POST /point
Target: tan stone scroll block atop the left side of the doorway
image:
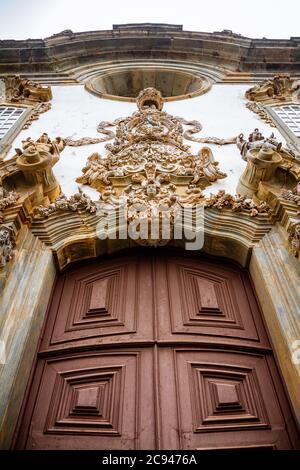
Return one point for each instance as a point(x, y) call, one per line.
point(36, 166)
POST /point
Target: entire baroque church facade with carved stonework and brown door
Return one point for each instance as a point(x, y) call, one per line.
point(149, 240)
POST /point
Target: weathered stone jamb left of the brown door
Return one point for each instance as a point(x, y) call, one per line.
point(23, 304)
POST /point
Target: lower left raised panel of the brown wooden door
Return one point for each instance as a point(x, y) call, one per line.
point(94, 401)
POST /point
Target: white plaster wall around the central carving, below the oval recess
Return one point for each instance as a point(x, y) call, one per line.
point(76, 113)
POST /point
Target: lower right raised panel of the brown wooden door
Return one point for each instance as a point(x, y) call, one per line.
point(228, 400)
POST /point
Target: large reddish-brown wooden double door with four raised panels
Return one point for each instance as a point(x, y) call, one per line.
point(155, 350)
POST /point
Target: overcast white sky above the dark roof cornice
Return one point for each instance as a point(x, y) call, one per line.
point(23, 19)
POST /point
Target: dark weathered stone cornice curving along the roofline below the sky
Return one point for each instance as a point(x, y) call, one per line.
point(64, 51)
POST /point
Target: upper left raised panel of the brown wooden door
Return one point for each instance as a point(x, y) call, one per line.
point(102, 303)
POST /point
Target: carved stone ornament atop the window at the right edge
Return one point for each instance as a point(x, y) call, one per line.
point(280, 88)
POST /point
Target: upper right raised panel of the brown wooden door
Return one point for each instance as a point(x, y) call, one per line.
point(200, 301)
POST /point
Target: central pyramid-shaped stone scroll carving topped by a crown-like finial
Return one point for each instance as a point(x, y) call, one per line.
point(149, 136)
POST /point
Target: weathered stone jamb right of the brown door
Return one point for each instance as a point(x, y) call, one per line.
point(275, 274)
